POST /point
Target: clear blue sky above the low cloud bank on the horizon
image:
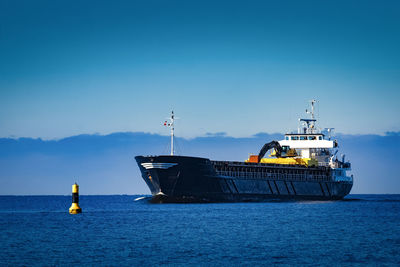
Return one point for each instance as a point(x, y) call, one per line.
point(240, 67)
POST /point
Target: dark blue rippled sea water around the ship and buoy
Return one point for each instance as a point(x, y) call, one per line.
point(116, 230)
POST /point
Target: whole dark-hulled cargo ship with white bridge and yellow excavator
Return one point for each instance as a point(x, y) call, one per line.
point(302, 166)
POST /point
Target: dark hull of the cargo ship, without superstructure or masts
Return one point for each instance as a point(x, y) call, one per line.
point(176, 179)
